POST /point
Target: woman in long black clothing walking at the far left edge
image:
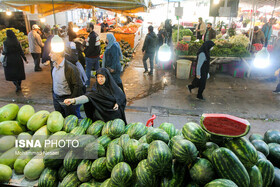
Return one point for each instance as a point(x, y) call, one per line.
point(13, 67)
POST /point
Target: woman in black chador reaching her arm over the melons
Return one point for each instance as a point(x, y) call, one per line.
point(105, 102)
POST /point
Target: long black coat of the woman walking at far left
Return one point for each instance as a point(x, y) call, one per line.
point(14, 70)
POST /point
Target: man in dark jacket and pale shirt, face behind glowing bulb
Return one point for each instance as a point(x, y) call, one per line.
point(66, 83)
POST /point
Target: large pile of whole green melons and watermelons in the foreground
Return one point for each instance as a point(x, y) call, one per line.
point(135, 155)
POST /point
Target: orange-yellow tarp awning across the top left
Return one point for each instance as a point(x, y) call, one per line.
point(45, 7)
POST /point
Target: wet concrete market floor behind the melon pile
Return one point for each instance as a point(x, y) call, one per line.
point(164, 95)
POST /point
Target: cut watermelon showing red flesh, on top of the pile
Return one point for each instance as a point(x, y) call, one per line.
point(224, 125)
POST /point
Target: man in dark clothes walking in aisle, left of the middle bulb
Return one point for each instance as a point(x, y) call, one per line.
point(149, 49)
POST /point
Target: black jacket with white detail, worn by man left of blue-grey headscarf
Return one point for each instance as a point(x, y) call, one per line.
point(93, 48)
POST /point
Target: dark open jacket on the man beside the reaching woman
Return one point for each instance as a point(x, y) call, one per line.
point(73, 79)
